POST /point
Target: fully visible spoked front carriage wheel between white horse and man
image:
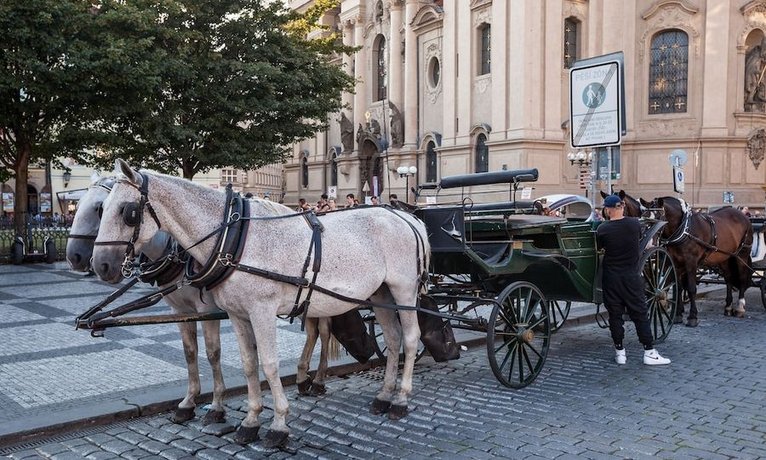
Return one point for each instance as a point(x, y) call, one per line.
point(518, 334)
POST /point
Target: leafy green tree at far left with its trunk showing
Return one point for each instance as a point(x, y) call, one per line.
point(64, 68)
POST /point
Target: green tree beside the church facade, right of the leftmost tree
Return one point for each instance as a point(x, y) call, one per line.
point(239, 84)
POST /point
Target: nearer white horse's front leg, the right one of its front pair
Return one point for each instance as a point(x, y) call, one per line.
point(265, 330)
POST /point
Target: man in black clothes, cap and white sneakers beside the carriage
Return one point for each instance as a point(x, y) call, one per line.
point(622, 284)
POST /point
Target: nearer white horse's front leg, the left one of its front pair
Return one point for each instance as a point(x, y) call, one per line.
point(248, 430)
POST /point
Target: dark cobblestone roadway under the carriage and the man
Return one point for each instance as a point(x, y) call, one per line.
point(707, 404)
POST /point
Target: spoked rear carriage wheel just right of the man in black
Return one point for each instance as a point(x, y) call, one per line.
point(661, 289)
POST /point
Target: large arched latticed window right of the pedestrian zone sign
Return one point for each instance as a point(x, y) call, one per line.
point(669, 72)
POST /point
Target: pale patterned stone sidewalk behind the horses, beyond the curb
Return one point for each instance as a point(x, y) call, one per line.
point(53, 377)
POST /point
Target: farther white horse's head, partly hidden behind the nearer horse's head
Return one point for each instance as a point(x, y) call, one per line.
point(82, 234)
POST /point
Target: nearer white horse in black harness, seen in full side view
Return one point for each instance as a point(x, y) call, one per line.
point(369, 252)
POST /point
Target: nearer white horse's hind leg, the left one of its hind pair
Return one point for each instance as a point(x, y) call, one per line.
point(389, 323)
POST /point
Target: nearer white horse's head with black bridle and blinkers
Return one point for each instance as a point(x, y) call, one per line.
point(125, 230)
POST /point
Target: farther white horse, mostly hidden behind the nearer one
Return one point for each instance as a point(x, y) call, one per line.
point(187, 300)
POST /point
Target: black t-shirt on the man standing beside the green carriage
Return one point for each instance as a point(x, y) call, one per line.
point(619, 238)
